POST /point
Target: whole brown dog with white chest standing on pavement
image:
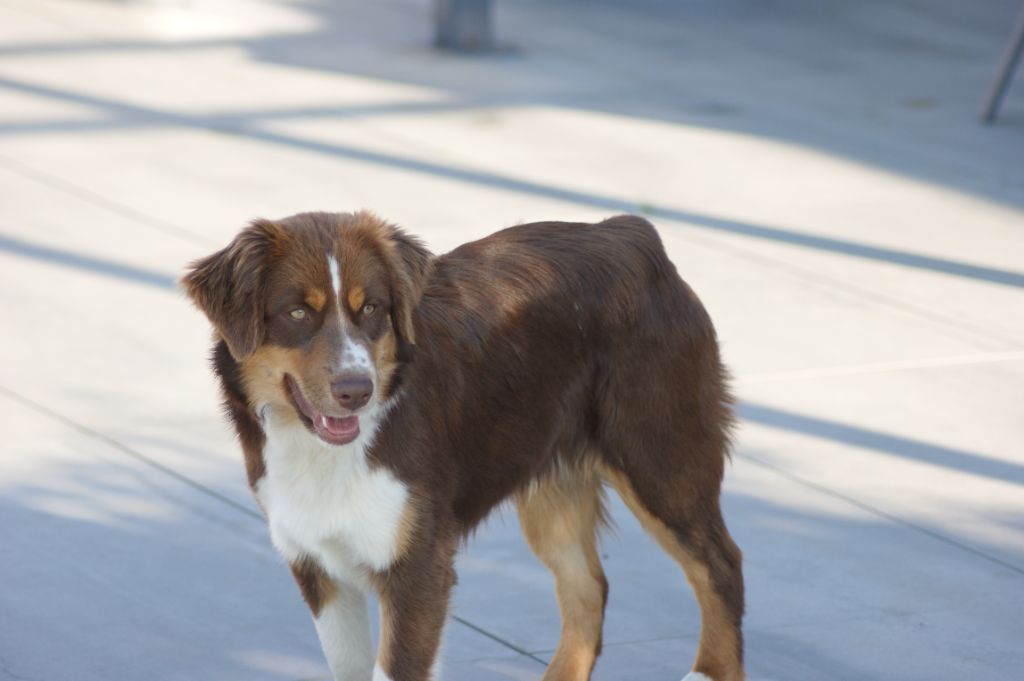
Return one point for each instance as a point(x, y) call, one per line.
point(550, 359)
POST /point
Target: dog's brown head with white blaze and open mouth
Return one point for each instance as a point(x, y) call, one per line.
point(318, 312)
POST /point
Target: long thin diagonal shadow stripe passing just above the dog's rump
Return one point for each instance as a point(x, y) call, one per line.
point(135, 113)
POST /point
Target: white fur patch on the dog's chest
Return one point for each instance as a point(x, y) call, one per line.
point(325, 502)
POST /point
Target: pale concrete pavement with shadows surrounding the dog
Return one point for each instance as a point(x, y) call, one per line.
point(817, 175)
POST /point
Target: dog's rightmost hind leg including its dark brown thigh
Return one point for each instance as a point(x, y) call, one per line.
point(663, 431)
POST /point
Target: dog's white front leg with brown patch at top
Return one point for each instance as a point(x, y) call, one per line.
point(343, 622)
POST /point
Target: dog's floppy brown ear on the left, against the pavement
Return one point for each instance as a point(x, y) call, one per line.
point(231, 287)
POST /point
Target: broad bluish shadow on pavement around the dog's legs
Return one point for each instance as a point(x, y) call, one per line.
point(131, 557)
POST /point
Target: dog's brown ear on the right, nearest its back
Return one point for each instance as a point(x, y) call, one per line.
point(411, 265)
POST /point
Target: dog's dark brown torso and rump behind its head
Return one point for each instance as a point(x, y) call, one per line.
point(563, 344)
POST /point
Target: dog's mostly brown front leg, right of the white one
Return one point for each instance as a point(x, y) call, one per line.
point(414, 601)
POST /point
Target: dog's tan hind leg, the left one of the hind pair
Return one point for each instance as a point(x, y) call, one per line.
point(560, 516)
